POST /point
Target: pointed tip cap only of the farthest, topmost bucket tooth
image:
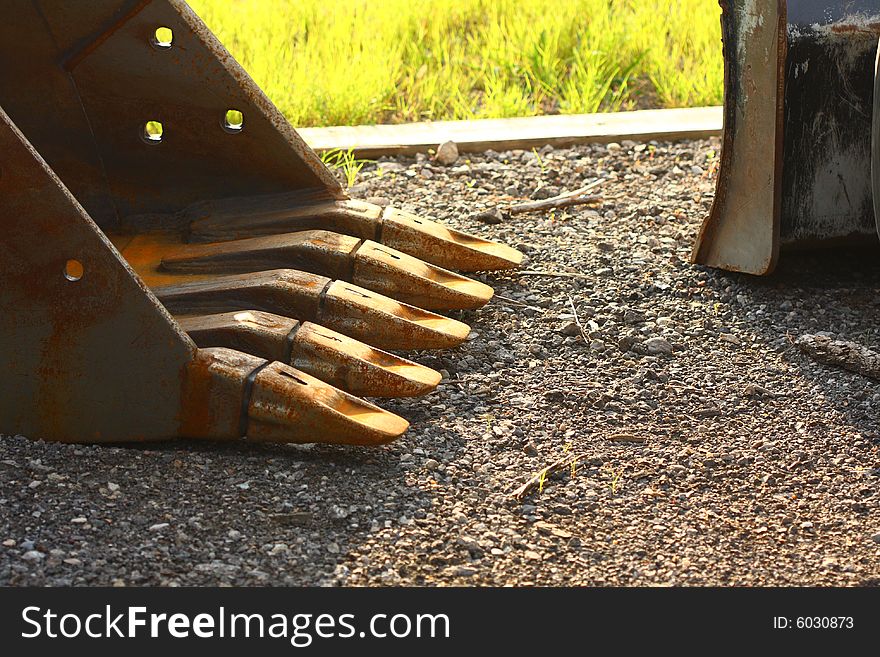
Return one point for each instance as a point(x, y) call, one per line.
point(444, 247)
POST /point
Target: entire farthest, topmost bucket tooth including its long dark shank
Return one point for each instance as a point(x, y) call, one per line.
point(419, 237)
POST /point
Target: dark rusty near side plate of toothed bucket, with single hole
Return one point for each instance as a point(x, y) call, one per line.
point(87, 352)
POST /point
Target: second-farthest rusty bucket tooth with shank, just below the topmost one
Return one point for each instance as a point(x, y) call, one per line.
point(365, 263)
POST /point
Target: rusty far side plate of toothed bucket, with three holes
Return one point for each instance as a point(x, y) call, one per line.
point(82, 79)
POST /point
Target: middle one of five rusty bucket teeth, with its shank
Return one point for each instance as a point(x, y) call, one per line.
point(344, 307)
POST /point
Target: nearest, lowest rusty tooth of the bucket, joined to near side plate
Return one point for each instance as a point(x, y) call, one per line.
point(230, 394)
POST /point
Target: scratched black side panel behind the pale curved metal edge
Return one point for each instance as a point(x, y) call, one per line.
point(829, 88)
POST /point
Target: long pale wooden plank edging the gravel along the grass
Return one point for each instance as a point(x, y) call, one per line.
point(373, 141)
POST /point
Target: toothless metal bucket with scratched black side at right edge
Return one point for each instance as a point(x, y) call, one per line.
point(800, 124)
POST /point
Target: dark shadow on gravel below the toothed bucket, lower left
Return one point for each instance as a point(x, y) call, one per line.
point(189, 513)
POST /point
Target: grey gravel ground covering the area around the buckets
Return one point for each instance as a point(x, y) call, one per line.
point(710, 451)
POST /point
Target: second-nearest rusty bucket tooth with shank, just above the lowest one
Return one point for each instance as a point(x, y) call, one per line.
point(332, 357)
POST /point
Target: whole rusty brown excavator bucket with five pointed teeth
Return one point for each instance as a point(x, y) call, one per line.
point(176, 262)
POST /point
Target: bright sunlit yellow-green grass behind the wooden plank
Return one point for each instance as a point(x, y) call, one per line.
point(334, 62)
